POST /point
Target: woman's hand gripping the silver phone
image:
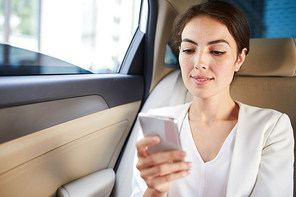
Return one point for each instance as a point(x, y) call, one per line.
point(160, 169)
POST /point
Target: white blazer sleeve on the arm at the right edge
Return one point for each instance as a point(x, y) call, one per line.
point(275, 176)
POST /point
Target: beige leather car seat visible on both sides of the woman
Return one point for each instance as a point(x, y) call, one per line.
point(267, 79)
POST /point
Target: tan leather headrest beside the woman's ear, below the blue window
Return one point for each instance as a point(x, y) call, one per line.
point(270, 57)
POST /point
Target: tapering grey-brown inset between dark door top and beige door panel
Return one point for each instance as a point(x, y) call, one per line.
point(17, 121)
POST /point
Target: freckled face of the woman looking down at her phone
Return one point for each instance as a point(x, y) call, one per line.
point(208, 57)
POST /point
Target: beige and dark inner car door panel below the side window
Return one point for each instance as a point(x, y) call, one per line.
point(60, 128)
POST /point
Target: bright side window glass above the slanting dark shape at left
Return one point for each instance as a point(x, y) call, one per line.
point(91, 34)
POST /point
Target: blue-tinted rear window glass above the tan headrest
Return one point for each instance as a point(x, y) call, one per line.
point(269, 18)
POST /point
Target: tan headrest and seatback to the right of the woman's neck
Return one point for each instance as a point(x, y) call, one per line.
point(268, 76)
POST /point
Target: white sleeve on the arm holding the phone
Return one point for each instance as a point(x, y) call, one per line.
point(138, 184)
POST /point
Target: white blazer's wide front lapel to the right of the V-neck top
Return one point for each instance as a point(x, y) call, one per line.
point(247, 152)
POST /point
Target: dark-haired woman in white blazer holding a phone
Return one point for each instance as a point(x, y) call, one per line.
point(229, 149)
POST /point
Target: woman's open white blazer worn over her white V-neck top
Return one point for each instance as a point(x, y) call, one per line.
point(263, 155)
